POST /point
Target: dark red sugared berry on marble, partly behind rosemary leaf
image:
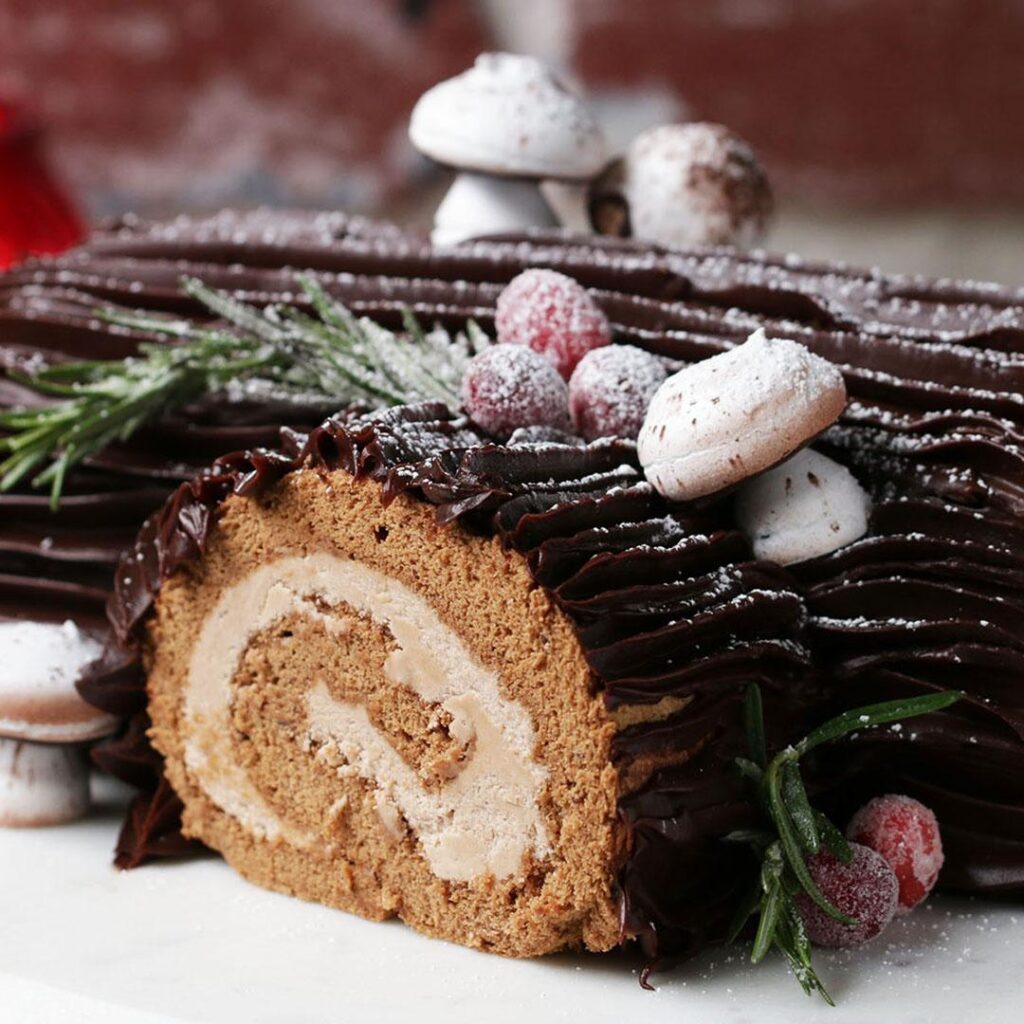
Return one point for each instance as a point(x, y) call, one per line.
point(866, 890)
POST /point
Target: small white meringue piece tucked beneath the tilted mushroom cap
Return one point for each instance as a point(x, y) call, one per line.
point(804, 508)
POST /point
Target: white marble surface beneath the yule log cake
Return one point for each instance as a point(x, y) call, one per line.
point(81, 943)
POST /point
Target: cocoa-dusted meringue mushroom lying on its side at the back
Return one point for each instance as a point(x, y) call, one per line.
point(685, 185)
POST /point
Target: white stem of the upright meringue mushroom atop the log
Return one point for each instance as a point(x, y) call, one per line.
point(487, 204)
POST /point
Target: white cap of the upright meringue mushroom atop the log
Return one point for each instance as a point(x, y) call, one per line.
point(508, 115)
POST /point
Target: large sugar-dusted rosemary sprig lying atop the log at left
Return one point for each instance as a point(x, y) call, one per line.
point(329, 357)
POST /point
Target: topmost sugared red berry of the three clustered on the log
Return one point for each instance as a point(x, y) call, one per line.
point(552, 315)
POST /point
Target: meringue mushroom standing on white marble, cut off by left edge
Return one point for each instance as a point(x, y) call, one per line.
point(45, 724)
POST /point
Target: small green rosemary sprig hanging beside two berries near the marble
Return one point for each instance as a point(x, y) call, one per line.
point(794, 830)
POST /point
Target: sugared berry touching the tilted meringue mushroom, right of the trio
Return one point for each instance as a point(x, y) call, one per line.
point(611, 390)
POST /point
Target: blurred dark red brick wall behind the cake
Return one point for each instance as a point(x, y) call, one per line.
point(903, 111)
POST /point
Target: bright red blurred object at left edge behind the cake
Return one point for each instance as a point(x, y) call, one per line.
point(35, 217)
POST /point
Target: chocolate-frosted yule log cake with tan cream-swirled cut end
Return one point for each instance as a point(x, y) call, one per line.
point(494, 685)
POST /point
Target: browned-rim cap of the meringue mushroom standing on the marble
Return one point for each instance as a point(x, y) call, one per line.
point(38, 699)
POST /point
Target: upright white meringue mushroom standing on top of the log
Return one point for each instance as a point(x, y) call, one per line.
point(505, 124)
